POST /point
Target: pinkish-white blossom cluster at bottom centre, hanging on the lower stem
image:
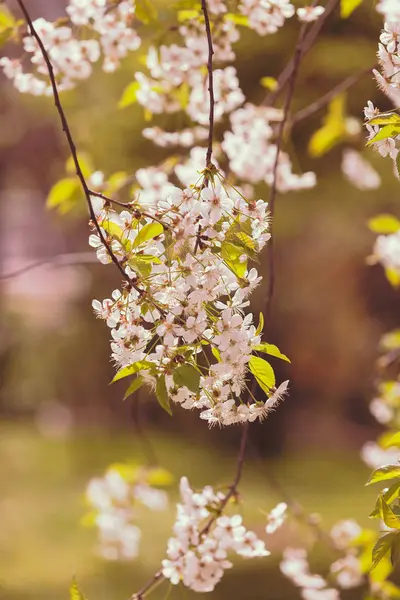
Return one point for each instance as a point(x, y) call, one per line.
point(198, 554)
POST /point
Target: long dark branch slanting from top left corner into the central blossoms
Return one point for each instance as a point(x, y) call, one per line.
point(71, 144)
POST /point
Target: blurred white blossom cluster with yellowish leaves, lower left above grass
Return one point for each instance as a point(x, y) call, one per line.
point(114, 501)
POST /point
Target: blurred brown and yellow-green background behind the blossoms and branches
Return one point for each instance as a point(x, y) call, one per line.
point(62, 424)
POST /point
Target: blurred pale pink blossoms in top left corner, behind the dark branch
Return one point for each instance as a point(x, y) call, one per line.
point(111, 35)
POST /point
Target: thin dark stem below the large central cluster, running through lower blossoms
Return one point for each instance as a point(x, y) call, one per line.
point(232, 492)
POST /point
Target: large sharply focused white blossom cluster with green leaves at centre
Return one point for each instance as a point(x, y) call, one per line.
point(179, 324)
